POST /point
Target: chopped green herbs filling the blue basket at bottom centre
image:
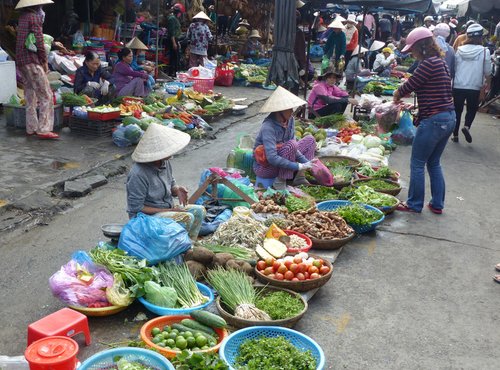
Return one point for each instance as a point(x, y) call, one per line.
point(273, 354)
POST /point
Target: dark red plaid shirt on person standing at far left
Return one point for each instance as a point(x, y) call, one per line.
point(30, 22)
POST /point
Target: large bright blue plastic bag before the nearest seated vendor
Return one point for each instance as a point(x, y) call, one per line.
point(154, 238)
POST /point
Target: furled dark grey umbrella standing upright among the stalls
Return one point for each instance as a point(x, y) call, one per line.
point(284, 68)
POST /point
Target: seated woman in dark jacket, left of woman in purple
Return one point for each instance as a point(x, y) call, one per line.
point(92, 80)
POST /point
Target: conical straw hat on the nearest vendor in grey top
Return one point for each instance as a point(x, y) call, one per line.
point(159, 142)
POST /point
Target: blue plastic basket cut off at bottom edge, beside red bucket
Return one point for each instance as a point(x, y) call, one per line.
point(106, 359)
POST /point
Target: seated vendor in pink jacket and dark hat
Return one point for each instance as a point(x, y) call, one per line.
point(326, 97)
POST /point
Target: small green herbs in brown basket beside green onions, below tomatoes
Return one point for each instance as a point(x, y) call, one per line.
point(280, 305)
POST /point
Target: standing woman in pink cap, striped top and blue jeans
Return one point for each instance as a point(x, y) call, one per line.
point(431, 82)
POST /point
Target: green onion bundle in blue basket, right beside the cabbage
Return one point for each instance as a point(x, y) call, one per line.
point(178, 277)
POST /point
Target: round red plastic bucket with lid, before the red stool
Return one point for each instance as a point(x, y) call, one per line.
point(52, 353)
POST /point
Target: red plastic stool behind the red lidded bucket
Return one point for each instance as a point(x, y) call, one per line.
point(65, 322)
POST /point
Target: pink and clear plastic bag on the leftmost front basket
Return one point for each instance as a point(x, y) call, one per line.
point(81, 284)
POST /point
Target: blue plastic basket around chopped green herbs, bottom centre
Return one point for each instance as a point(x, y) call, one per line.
point(230, 347)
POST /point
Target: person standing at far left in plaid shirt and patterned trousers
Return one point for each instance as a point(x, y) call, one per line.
point(34, 68)
